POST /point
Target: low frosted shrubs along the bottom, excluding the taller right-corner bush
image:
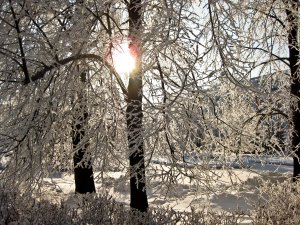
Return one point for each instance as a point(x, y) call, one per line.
point(98, 209)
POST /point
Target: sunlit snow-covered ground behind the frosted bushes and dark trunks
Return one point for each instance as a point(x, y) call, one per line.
point(184, 195)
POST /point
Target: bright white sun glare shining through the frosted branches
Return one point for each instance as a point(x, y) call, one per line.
point(122, 59)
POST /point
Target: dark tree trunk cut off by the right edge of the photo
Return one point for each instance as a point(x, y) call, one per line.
point(292, 16)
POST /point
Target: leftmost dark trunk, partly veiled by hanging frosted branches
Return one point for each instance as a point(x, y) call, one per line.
point(83, 170)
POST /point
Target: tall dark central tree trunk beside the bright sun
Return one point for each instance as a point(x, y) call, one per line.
point(134, 115)
